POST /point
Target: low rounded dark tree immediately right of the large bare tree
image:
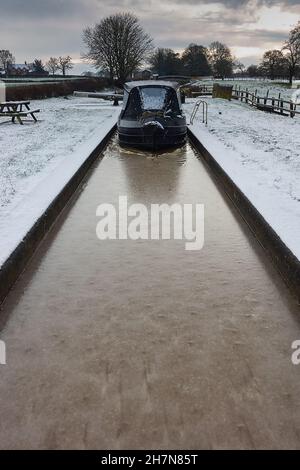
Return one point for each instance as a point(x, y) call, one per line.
point(166, 62)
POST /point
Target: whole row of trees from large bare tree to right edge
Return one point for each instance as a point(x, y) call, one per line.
point(119, 46)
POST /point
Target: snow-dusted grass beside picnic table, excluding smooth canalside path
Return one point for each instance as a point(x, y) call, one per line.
point(28, 153)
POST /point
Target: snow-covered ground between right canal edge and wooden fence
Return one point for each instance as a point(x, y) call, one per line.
point(261, 153)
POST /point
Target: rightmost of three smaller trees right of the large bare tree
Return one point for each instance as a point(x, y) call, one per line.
point(221, 59)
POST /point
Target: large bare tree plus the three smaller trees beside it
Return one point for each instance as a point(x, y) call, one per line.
point(118, 45)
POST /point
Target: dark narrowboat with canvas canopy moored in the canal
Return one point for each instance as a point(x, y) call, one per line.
point(152, 115)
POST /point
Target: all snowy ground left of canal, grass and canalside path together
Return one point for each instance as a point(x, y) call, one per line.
point(37, 160)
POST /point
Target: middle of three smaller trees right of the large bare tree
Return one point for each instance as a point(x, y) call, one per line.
point(194, 60)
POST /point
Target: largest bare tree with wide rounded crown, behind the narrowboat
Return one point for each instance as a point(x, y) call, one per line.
point(118, 44)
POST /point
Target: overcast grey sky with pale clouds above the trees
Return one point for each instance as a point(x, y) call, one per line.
point(42, 28)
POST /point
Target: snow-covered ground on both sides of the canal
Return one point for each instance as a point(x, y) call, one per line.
point(259, 151)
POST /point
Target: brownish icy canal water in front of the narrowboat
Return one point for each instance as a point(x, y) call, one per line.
point(123, 344)
